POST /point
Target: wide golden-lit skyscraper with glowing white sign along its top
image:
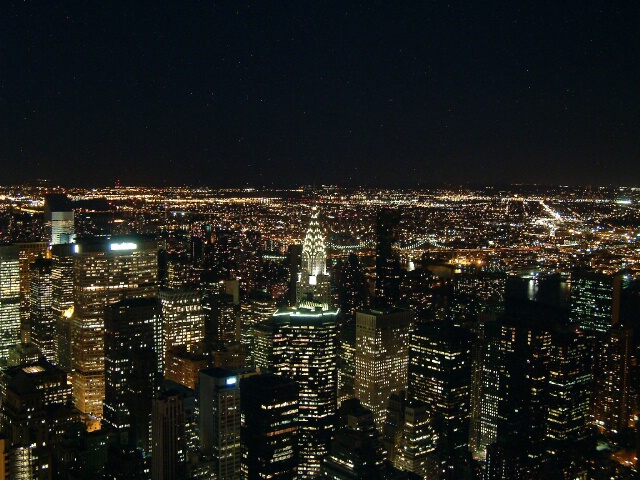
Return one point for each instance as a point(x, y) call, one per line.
point(105, 270)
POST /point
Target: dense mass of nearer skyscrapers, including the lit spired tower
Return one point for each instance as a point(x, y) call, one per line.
point(111, 372)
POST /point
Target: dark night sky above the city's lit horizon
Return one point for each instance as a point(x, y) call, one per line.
point(412, 93)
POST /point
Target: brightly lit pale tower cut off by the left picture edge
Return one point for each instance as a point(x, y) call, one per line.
point(9, 299)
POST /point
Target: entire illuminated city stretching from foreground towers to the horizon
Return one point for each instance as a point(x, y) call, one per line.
point(323, 333)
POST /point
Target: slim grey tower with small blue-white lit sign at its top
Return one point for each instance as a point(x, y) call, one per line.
point(220, 421)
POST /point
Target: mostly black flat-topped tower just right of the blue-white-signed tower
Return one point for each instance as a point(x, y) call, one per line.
point(268, 437)
